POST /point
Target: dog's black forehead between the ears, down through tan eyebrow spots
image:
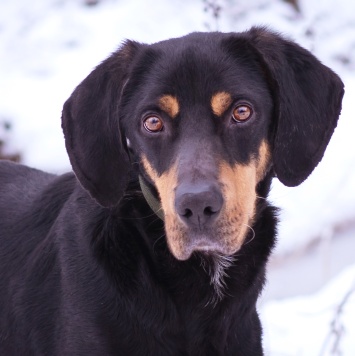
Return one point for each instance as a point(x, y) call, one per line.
point(198, 68)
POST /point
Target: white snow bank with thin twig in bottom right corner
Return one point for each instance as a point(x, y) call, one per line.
point(320, 324)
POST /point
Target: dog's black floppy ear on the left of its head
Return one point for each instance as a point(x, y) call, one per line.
point(90, 123)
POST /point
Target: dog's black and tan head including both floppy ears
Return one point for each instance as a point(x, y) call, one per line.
point(207, 117)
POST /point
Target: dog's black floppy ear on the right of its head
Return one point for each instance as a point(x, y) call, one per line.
point(308, 98)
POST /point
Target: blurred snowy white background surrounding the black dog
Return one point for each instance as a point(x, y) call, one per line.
point(48, 46)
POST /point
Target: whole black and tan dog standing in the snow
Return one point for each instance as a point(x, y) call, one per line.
point(158, 244)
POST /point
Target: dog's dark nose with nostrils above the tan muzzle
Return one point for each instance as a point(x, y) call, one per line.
point(198, 205)
